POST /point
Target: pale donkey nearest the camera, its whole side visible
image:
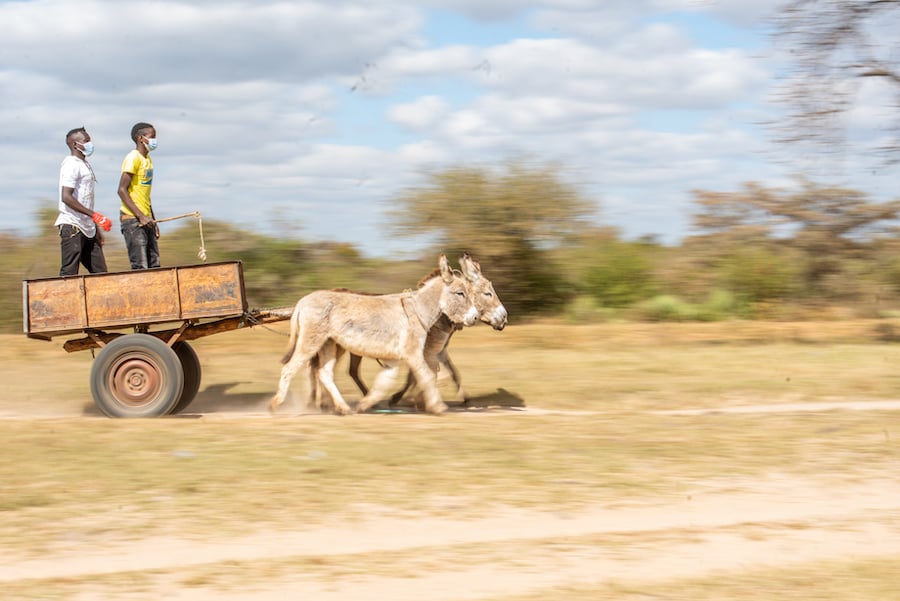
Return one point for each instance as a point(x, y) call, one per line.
point(391, 328)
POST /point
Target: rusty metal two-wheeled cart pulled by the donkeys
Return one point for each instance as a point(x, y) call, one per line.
point(151, 371)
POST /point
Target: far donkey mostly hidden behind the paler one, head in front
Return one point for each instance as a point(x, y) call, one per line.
point(490, 310)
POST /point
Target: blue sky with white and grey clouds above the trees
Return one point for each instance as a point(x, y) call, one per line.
point(306, 118)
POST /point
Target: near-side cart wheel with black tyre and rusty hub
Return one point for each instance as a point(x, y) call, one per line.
point(136, 375)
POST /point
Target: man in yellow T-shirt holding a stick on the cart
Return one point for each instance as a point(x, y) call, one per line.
point(138, 227)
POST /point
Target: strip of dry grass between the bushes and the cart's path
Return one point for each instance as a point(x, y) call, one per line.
point(556, 366)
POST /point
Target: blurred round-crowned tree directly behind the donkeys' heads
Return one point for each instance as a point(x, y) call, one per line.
point(508, 219)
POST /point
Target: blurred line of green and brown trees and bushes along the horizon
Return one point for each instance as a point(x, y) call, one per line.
point(760, 252)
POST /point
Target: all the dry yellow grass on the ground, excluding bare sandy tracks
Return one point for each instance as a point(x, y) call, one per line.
point(68, 475)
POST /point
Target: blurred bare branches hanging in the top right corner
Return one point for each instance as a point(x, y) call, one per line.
point(833, 48)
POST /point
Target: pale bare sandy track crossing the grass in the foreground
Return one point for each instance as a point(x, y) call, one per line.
point(722, 525)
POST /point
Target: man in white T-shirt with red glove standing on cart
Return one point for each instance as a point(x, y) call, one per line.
point(80, 240)
